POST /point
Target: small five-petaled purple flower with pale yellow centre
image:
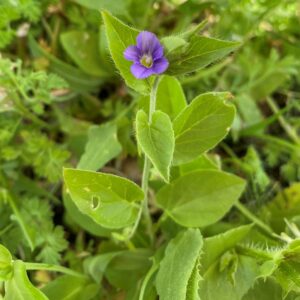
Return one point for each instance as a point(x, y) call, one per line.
point(147, 55)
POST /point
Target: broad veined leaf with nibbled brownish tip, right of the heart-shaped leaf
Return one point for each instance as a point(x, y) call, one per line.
point(201, 125)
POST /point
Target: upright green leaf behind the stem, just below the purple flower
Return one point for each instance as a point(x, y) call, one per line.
point(170, 97)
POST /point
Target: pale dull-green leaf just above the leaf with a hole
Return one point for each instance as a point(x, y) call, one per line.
point(102, 146)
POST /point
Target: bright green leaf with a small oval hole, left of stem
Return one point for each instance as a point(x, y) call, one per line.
point(111, 201)
